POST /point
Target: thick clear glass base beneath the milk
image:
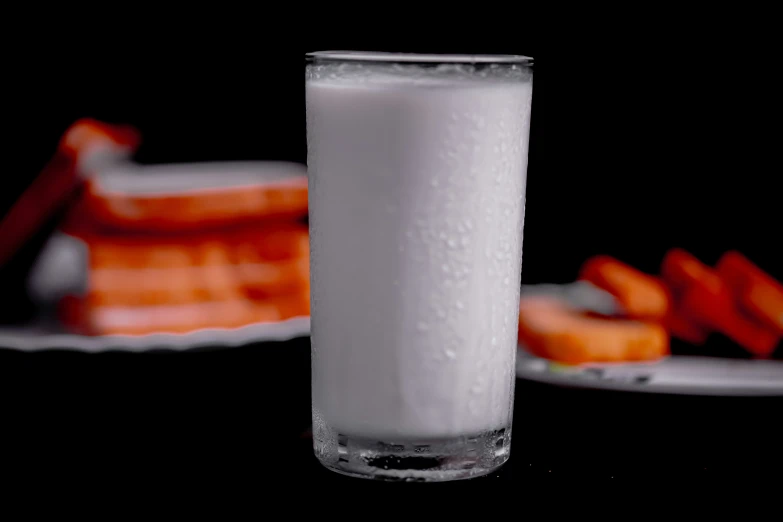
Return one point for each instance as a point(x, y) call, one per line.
point(412, 460)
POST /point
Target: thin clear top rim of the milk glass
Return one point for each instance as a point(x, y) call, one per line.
point(419, 58)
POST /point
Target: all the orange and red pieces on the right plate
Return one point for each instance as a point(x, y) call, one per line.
point(688, 301)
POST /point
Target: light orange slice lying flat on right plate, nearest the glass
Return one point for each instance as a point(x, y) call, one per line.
point(548, 328)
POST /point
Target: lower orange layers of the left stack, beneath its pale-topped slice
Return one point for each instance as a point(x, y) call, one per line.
point(148, 284)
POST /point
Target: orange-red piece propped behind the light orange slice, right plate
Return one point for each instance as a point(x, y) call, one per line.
point(641, 295)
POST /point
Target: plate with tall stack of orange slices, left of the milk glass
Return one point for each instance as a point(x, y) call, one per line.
point(169, 256)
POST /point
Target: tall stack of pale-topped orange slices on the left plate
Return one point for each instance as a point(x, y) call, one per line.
point(178, 248)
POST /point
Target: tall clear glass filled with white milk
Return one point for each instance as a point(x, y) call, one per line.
point(417, 168)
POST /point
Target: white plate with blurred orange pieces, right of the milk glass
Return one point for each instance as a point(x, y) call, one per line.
point(692, 329)
